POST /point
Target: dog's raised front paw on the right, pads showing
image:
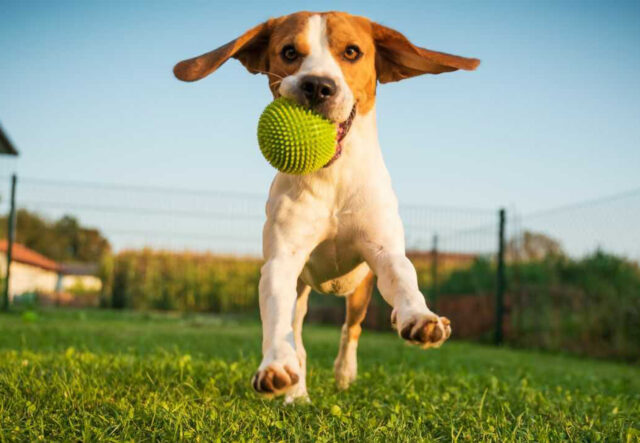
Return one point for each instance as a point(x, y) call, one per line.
point(424, 330)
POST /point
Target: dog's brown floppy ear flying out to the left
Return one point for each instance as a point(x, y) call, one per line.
point(250, 48)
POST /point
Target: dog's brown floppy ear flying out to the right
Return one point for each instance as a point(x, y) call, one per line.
point(397, 58)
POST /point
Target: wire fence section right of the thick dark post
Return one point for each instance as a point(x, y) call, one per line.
point(574, 279)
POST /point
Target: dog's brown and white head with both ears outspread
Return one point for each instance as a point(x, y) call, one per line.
point(327, 61)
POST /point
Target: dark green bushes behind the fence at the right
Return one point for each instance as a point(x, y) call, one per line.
point(589, 306)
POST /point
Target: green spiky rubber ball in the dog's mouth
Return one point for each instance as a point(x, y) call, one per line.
point(294, 139)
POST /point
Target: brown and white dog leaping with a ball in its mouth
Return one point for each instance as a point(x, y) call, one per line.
point(336, 230)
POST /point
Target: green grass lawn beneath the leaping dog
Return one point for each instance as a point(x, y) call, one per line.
point(105, 376)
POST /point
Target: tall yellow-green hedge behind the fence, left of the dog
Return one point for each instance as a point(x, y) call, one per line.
point(187, 282)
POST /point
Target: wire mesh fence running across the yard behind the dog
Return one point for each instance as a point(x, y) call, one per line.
point(570, 273)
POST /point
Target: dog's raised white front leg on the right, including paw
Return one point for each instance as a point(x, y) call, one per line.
point(398, 284)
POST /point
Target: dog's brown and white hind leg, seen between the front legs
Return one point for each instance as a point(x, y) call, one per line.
point(346, 363)
